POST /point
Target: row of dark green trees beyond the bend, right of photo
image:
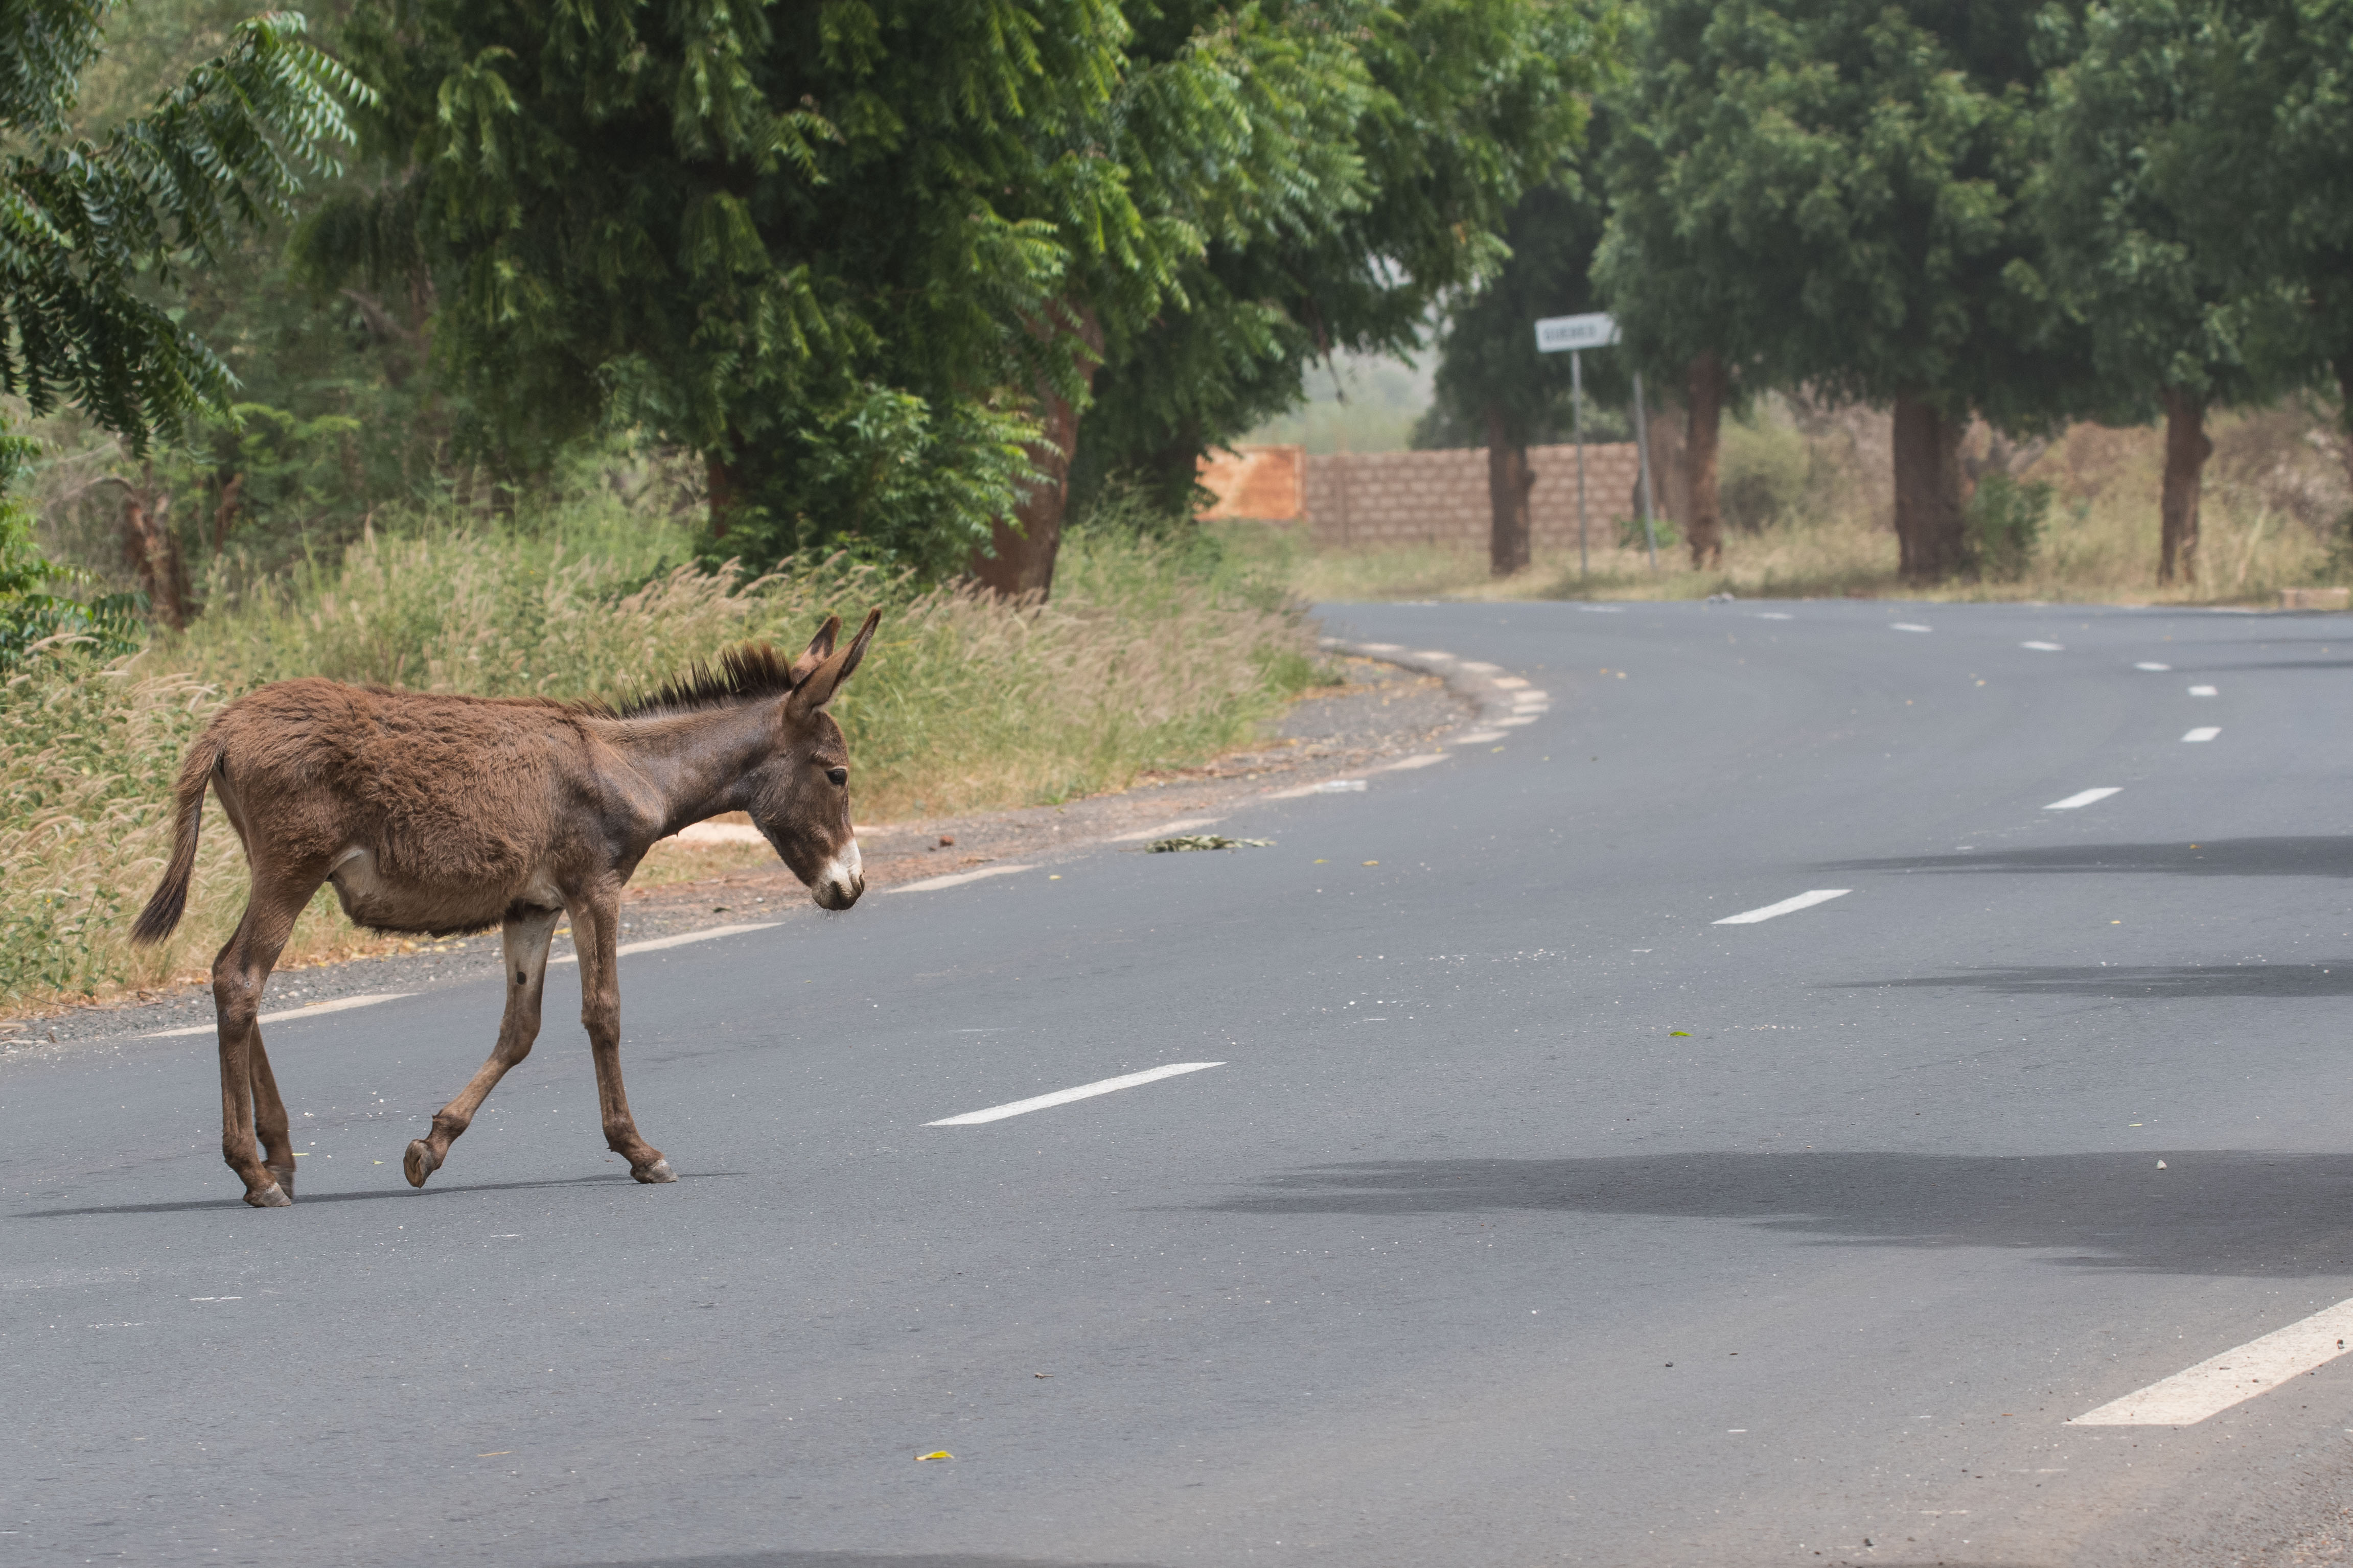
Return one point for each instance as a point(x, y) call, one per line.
point(1994, 210)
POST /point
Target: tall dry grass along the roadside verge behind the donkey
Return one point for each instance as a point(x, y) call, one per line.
point(1145, 659)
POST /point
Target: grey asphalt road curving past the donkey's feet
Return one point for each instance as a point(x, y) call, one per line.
point(1531, 1217)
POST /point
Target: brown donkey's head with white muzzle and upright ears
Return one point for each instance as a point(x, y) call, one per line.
point(801, 789)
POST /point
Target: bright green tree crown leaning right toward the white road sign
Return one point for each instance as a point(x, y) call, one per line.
point(1399, 147)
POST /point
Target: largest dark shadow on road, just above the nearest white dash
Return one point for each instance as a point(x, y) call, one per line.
point(2213, 1212)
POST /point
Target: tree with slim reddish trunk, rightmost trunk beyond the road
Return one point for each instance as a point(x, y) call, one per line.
point(2142, 248)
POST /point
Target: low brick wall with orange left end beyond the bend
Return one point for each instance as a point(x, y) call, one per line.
point(1422, 497)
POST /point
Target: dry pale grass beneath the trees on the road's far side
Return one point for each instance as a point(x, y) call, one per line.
point(2274, 518)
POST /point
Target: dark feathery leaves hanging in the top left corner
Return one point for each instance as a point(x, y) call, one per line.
point(86, 222)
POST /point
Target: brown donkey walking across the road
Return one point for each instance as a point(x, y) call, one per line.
point(455, 815)
